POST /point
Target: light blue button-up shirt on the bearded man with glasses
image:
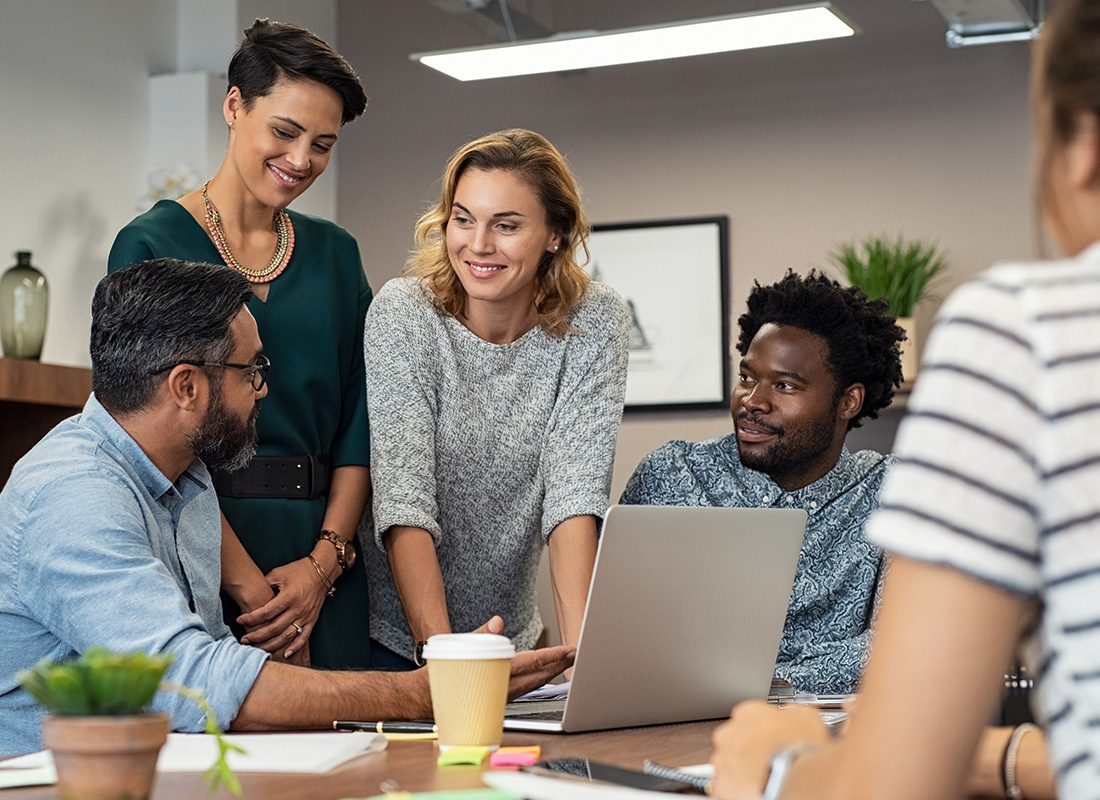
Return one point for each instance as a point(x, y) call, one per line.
point(97, 547)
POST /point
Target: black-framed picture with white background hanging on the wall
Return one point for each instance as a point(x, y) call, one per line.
point(675, 278)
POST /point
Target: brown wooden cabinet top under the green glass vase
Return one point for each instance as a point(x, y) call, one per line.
point(34, 399)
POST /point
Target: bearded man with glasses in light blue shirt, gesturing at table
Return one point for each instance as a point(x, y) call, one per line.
point(111, 533)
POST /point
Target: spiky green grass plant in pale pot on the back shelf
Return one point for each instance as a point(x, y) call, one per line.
point(898, 271)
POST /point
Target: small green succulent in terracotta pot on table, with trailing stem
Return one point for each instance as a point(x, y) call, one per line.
point(104, 740)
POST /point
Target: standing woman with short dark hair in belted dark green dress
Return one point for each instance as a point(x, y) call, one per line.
point(295, 509)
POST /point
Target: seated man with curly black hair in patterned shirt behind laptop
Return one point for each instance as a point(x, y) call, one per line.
point(817, 359)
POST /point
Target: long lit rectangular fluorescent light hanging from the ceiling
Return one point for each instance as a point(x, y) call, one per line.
point(719, 35)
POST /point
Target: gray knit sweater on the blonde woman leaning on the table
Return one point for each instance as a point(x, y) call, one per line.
point(488, 447)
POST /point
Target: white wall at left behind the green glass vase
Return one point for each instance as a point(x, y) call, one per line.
point(74, 93)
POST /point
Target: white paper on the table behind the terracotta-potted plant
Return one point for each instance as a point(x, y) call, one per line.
point(266, 753)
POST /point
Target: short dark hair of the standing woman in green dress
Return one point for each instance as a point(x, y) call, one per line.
point(276, 50)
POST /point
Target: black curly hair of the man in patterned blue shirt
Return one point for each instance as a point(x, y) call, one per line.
point(862, 337)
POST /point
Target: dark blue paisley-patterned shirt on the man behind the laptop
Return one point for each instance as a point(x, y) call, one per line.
point(826, 638)
